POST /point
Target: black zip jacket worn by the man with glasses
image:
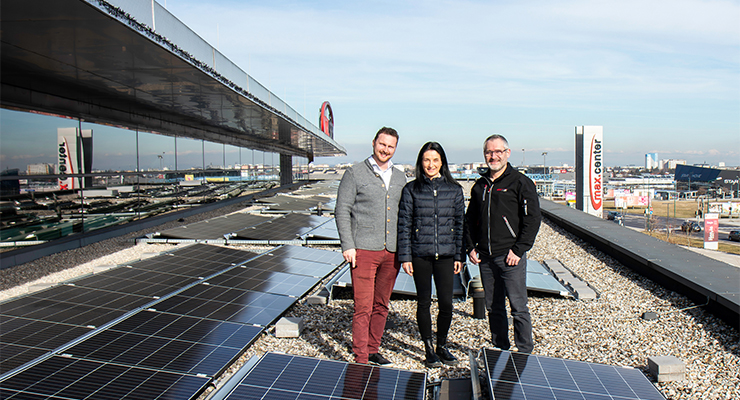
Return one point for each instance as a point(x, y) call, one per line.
point(502, 215)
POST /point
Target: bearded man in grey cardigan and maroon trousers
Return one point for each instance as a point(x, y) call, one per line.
point(367, 218)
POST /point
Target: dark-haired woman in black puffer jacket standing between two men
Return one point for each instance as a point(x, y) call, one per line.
point(430, 243)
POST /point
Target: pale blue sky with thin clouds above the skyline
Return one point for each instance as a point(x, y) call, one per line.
point(660, 76)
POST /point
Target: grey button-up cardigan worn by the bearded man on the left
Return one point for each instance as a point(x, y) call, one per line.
point(366, 213)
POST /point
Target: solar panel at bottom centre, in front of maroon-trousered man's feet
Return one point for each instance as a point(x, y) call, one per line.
point(284, 376)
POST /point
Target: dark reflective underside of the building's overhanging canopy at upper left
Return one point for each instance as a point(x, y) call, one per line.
point(70, 58)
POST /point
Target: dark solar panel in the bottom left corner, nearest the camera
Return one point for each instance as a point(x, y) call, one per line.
point(70, 378)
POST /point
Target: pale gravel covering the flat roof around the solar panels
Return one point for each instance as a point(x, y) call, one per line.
point(608, 330)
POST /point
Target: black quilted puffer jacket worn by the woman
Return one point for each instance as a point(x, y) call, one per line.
point(430, 220)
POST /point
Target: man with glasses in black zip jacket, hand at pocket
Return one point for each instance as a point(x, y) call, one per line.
point(501, 225)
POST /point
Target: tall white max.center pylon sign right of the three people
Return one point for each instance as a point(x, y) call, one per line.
point(589, 169)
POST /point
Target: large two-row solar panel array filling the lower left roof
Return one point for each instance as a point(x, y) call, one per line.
point(159, 324)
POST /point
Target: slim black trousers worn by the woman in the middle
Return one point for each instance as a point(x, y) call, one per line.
point(443, 272)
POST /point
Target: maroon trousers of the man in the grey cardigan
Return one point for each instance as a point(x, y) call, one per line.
point(372, 282)
